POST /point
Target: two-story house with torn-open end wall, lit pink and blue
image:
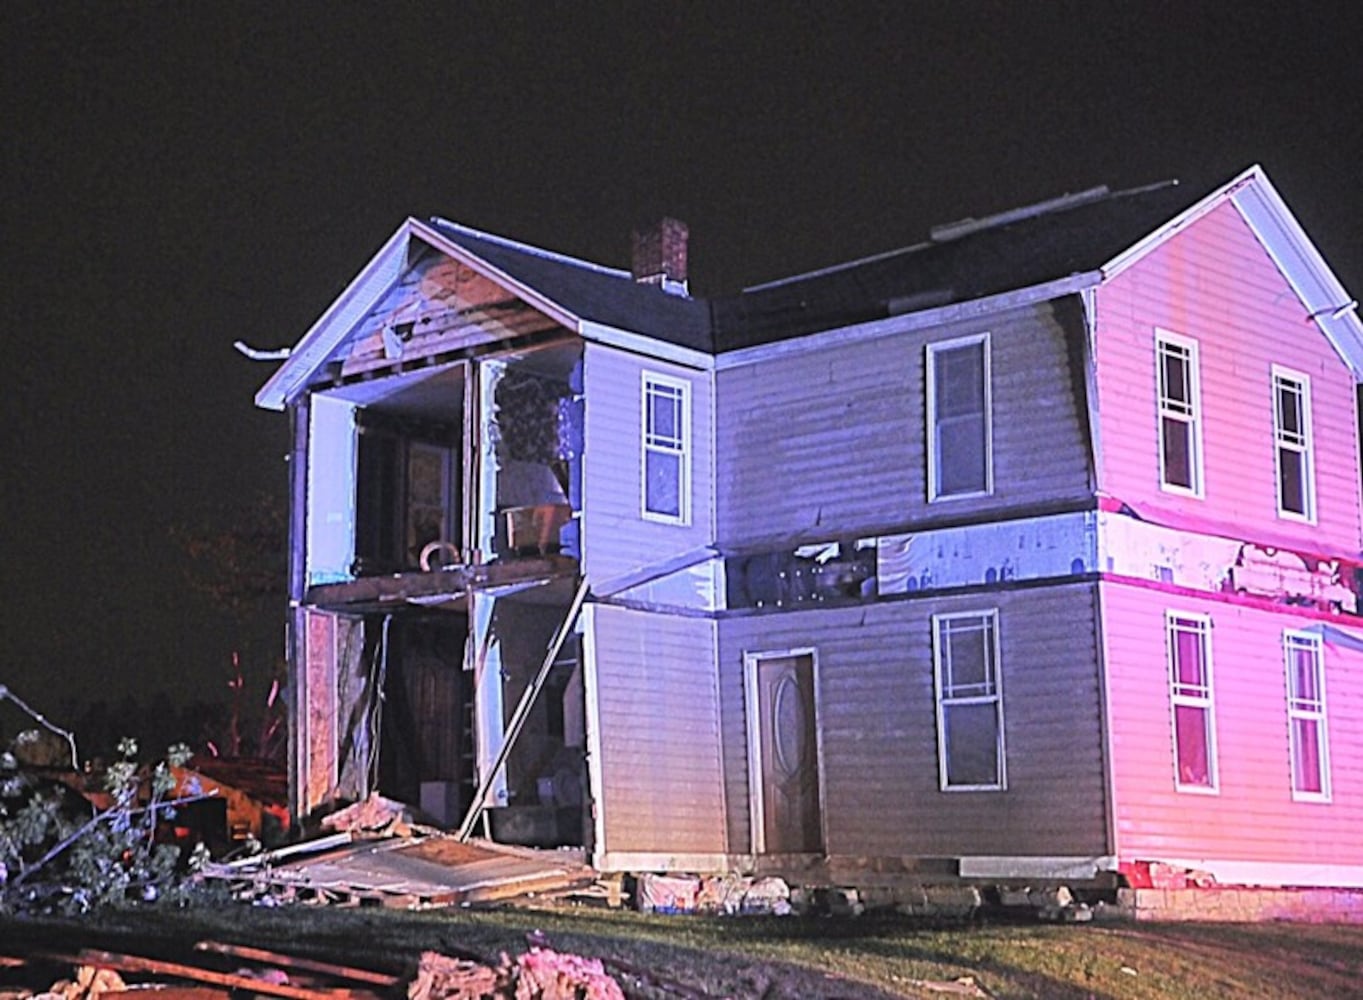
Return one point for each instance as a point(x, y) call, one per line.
point(1031, 550)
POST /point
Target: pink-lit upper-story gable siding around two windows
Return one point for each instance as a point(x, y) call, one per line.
point(1215, 284)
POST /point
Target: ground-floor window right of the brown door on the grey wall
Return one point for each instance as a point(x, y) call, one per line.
point(970, 701)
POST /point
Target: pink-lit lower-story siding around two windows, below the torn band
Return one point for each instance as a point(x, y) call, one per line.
point(1253, 815)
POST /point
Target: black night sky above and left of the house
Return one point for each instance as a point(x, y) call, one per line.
point(181, 176)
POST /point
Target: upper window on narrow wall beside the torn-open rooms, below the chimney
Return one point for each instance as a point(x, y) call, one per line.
point(667, 449)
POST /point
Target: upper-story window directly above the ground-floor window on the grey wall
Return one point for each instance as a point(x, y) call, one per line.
point(960, 460)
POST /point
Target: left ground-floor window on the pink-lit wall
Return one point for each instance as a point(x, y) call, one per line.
point(1191, 694)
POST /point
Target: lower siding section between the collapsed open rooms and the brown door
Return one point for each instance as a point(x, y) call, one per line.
point(659, 732)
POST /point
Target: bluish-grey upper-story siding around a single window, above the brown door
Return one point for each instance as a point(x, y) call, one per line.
point(795, 431)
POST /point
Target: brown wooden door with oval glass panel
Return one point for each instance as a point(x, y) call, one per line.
point(787, 755)
